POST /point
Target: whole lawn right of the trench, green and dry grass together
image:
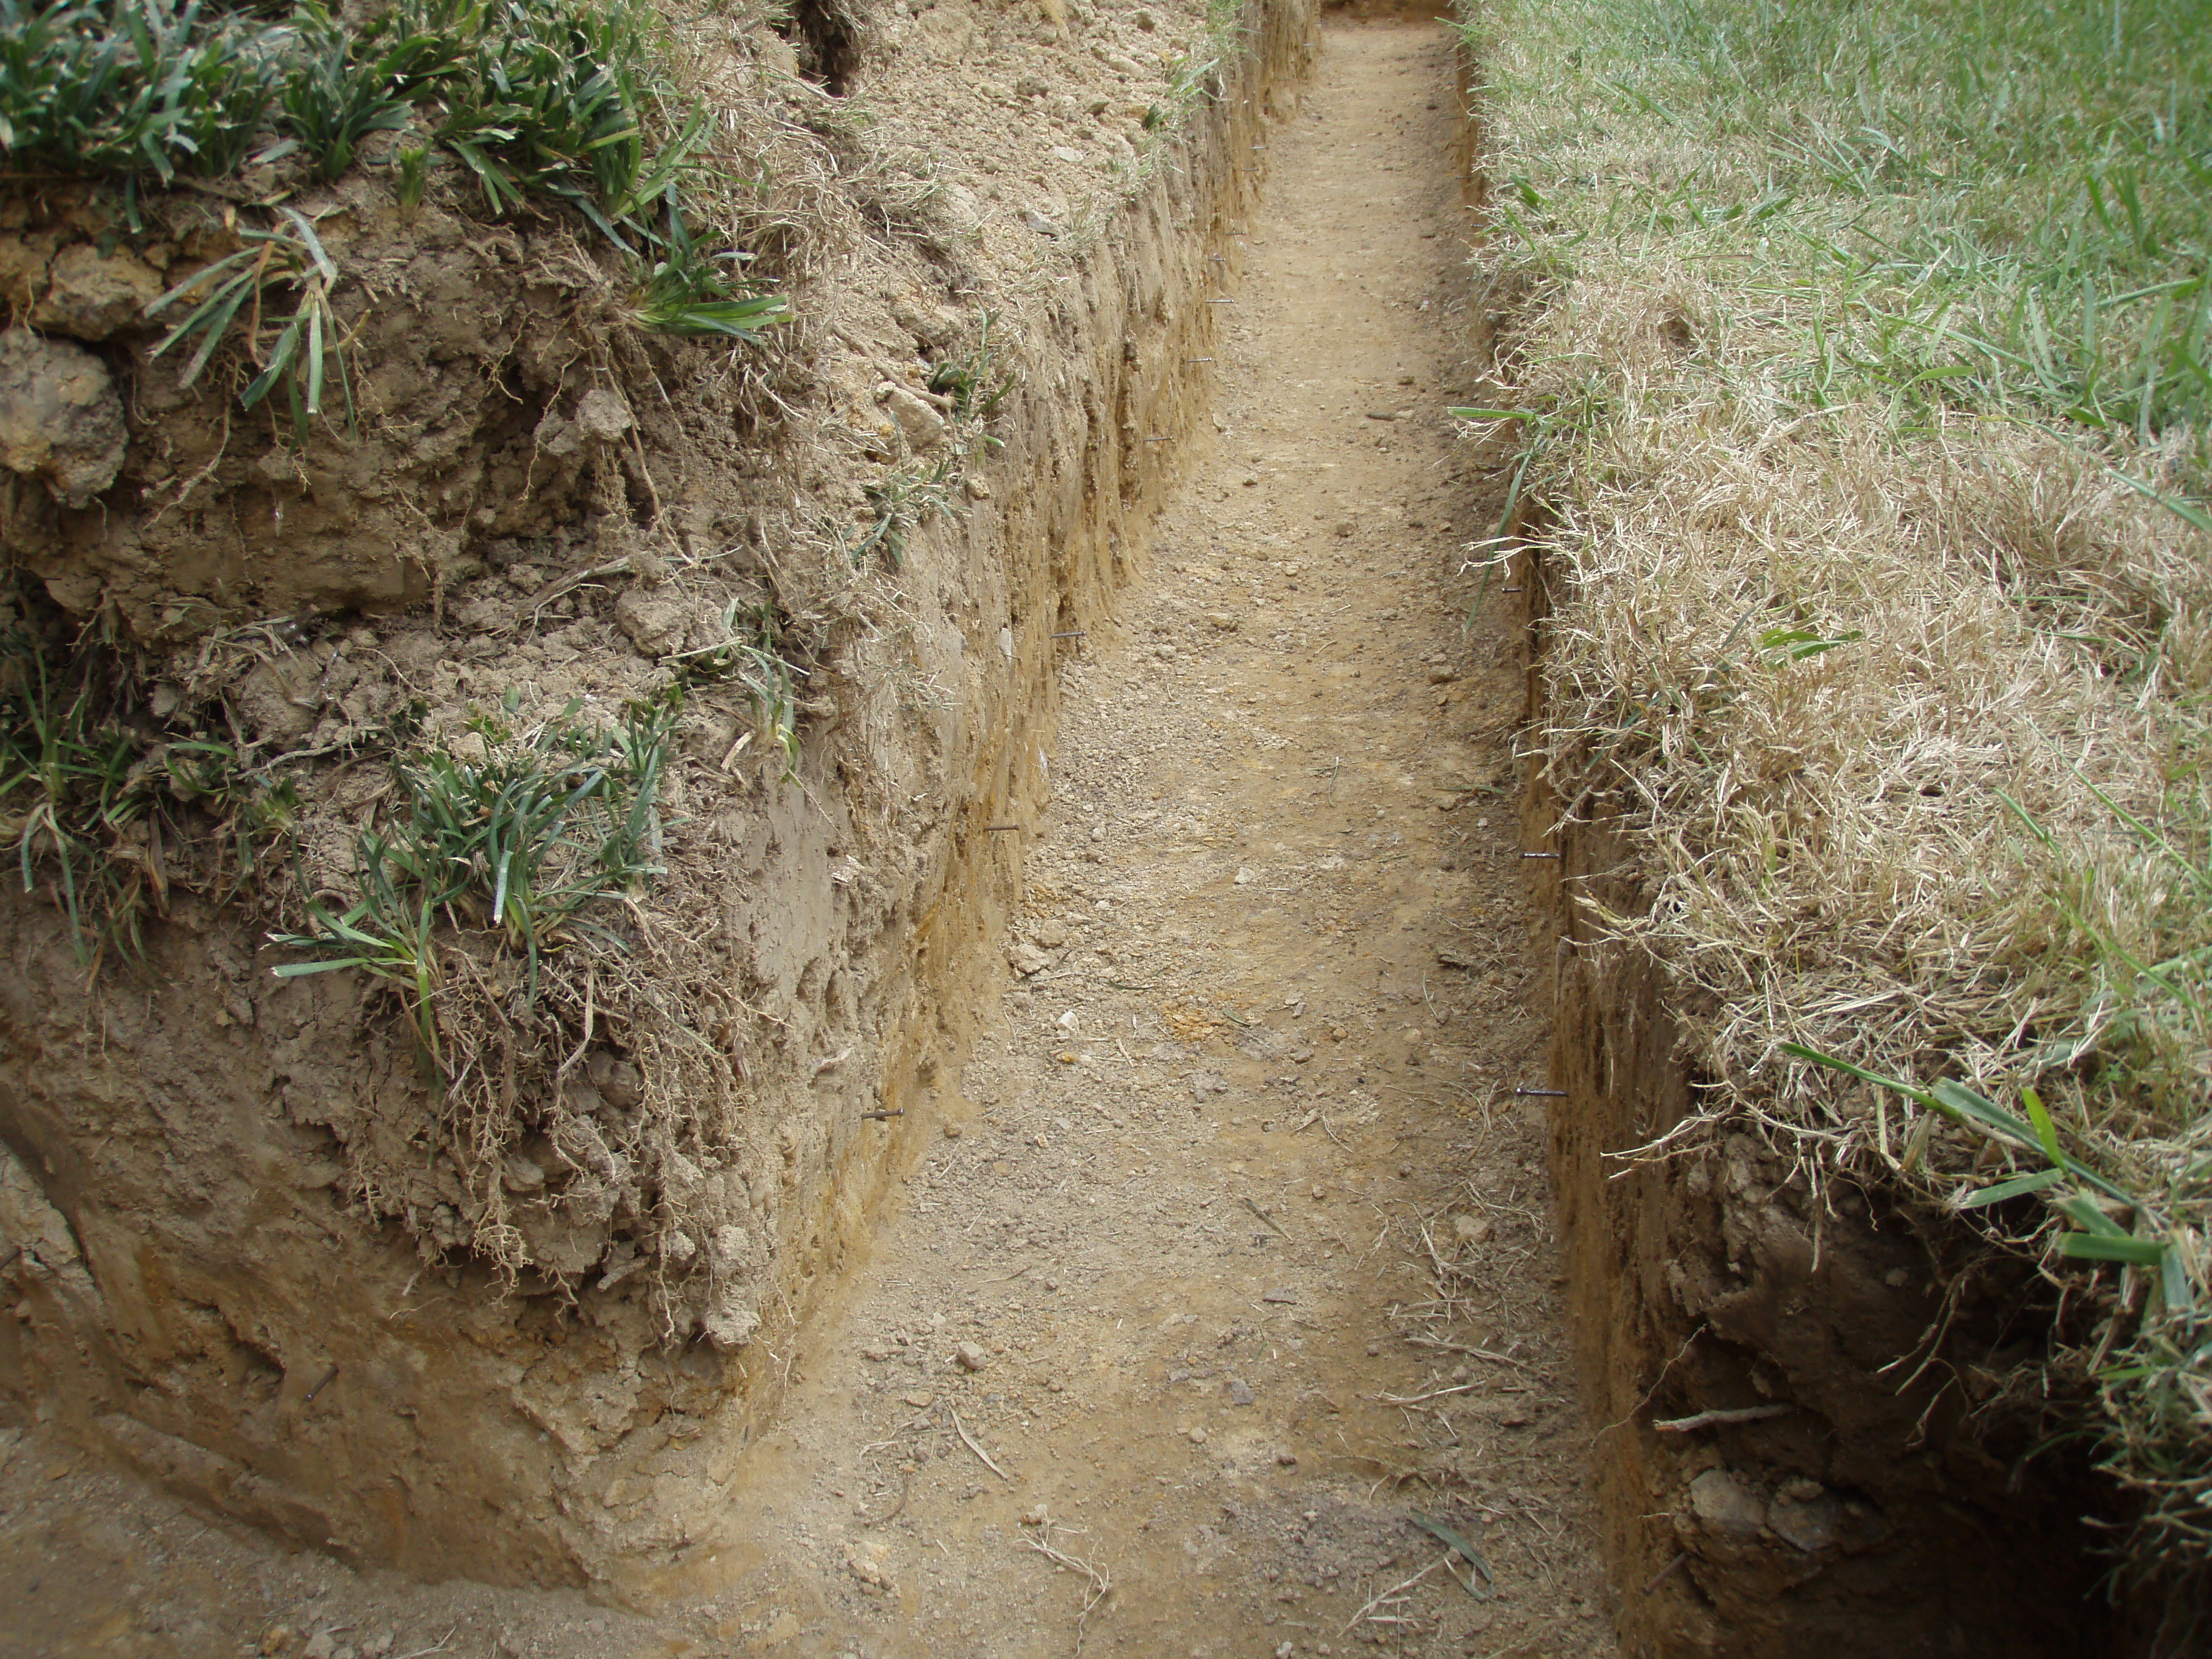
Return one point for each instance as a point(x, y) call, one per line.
point(1866, 406)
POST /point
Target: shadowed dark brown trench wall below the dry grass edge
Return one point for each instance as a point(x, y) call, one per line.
point(1877, 1499)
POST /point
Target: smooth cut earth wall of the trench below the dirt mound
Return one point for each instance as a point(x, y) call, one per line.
point(187, 1288)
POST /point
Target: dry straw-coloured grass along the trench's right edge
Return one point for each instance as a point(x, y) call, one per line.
point(1906, 698)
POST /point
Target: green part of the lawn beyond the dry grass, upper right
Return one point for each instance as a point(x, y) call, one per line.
point(1996, 207)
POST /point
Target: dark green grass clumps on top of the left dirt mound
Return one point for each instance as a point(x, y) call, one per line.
point(563, 101)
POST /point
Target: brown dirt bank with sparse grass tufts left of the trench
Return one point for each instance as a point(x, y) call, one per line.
point(607, 722)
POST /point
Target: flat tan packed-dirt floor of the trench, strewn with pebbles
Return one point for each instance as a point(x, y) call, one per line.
point(1231, 1253)
